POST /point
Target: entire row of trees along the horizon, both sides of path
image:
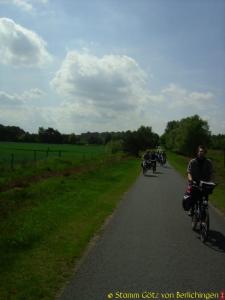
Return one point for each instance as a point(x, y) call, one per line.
point(181, 136)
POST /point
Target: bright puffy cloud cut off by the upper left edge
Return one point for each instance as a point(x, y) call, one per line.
point(20, 46)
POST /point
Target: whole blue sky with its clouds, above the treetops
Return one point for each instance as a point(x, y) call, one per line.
point(96, 65)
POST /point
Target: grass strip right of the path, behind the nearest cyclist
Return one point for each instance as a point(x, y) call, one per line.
point(180, 163)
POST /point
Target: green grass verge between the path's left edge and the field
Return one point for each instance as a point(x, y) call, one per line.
point(44, 228)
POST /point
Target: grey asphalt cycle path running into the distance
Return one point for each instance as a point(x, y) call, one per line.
point(148, 245)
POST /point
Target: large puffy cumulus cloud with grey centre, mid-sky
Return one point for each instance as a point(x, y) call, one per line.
point(108, 84)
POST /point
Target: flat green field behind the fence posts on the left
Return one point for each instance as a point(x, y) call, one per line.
point(47, 159)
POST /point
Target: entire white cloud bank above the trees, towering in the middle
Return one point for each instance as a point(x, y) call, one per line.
point(104, 94)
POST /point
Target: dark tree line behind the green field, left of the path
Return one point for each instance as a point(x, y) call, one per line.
point(128, 141)
